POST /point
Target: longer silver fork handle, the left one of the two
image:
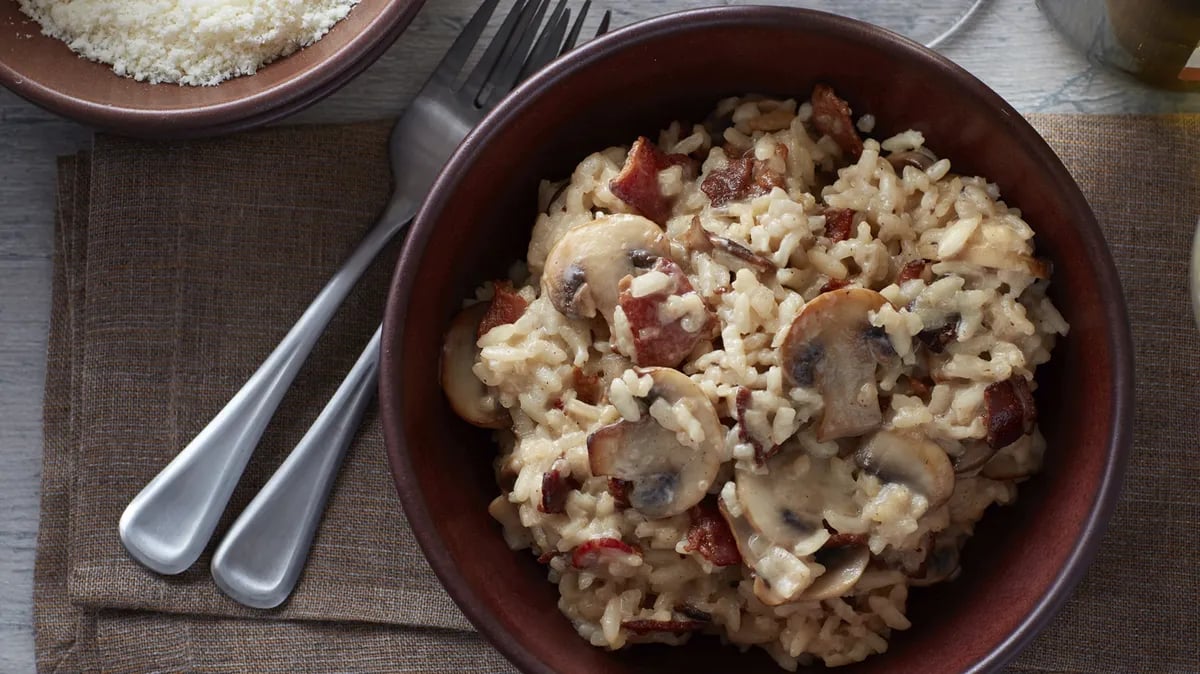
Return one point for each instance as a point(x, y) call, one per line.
point(167, 526)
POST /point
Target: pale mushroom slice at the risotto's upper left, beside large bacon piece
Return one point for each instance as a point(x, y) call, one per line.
point(585, 267)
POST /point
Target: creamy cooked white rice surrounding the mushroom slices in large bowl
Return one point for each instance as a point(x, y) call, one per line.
point(980, 290)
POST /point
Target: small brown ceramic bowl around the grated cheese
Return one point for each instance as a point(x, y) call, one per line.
point(46, 73)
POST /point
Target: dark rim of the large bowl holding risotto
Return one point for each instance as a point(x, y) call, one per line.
point(392, 399)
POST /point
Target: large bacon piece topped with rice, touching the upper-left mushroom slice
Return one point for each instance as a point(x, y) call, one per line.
point(657, 344)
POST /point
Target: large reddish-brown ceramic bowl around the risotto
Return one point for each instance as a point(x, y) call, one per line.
point(1024, 561)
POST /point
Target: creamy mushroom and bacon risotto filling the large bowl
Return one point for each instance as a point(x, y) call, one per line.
point(758, 378)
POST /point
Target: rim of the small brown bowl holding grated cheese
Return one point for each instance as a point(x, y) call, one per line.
point(256, 110)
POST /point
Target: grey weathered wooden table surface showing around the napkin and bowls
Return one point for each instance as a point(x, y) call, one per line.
point(1007, 44)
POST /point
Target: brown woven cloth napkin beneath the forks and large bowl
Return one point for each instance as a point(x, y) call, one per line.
point(179, 267)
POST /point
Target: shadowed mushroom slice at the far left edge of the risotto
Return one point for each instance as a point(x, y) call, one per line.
point(469, 396)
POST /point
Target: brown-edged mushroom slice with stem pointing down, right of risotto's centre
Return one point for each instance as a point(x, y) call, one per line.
point(833, 347)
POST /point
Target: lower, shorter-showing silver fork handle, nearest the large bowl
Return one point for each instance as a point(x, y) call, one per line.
point(260, 561)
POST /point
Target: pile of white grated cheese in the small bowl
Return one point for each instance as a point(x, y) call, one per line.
point(195, 43)
